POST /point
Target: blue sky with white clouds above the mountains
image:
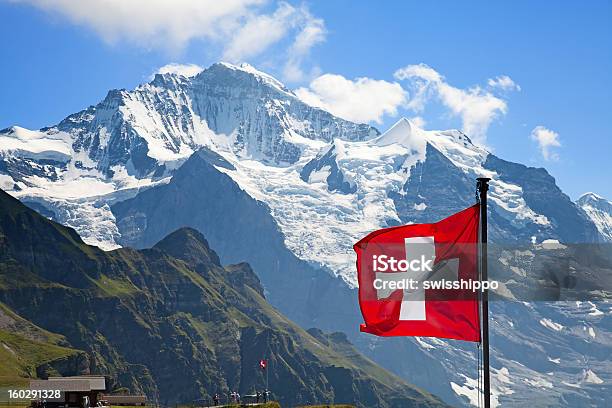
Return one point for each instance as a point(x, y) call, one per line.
point(58, 60)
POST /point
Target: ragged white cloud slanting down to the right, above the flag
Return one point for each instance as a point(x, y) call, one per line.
point(476, 107)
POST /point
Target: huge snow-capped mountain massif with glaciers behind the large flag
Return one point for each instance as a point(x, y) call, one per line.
point(289, 188)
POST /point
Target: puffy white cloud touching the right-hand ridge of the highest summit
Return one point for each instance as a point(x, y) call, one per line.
point(362, 100)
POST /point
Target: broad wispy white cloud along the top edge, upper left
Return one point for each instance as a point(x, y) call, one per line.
point(240, 28)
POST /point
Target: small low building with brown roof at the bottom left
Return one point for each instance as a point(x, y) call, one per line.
point(74, 392)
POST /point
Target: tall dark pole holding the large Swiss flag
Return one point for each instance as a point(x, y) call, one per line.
point(483, 187)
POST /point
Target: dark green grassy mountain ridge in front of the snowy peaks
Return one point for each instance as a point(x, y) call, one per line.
point(169, 321)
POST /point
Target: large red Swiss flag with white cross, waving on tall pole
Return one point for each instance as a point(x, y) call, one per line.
point(442, 253)
